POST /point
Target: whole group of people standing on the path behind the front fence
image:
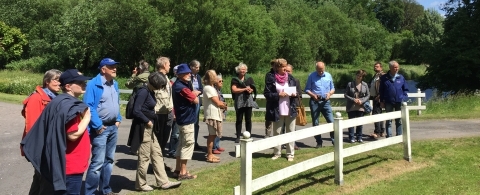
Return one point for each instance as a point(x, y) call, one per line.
point(63, 133)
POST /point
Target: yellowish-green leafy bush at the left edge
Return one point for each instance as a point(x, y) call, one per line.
point(12, 41)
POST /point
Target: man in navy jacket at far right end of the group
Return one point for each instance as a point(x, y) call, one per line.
point(393, 91)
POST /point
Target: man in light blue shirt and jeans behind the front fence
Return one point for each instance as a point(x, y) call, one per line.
point(320, 87)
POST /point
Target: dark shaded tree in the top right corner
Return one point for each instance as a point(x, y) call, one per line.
point(456, 65)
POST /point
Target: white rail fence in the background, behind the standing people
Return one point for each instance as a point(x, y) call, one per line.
point(419, 95)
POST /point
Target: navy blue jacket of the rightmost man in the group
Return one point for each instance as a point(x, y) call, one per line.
point(393, 91)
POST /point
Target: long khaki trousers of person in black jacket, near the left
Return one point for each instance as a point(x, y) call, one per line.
point(150, 150)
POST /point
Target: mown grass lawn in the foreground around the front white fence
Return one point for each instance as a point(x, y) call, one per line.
point(448, 166)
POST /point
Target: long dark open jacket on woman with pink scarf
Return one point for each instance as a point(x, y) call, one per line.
point(270, 92)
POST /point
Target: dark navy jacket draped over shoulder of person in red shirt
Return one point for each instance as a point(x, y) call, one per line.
point(45, 144)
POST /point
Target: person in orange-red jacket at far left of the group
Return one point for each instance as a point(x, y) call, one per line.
point(33, 106)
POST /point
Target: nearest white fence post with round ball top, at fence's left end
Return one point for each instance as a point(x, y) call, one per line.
point(246, 164)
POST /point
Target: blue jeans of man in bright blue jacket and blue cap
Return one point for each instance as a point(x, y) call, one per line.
point(101, 165)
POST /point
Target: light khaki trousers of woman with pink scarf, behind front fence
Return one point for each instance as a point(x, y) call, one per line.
point(289, 127)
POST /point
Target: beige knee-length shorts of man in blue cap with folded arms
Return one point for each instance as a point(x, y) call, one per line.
point(186, 142)
